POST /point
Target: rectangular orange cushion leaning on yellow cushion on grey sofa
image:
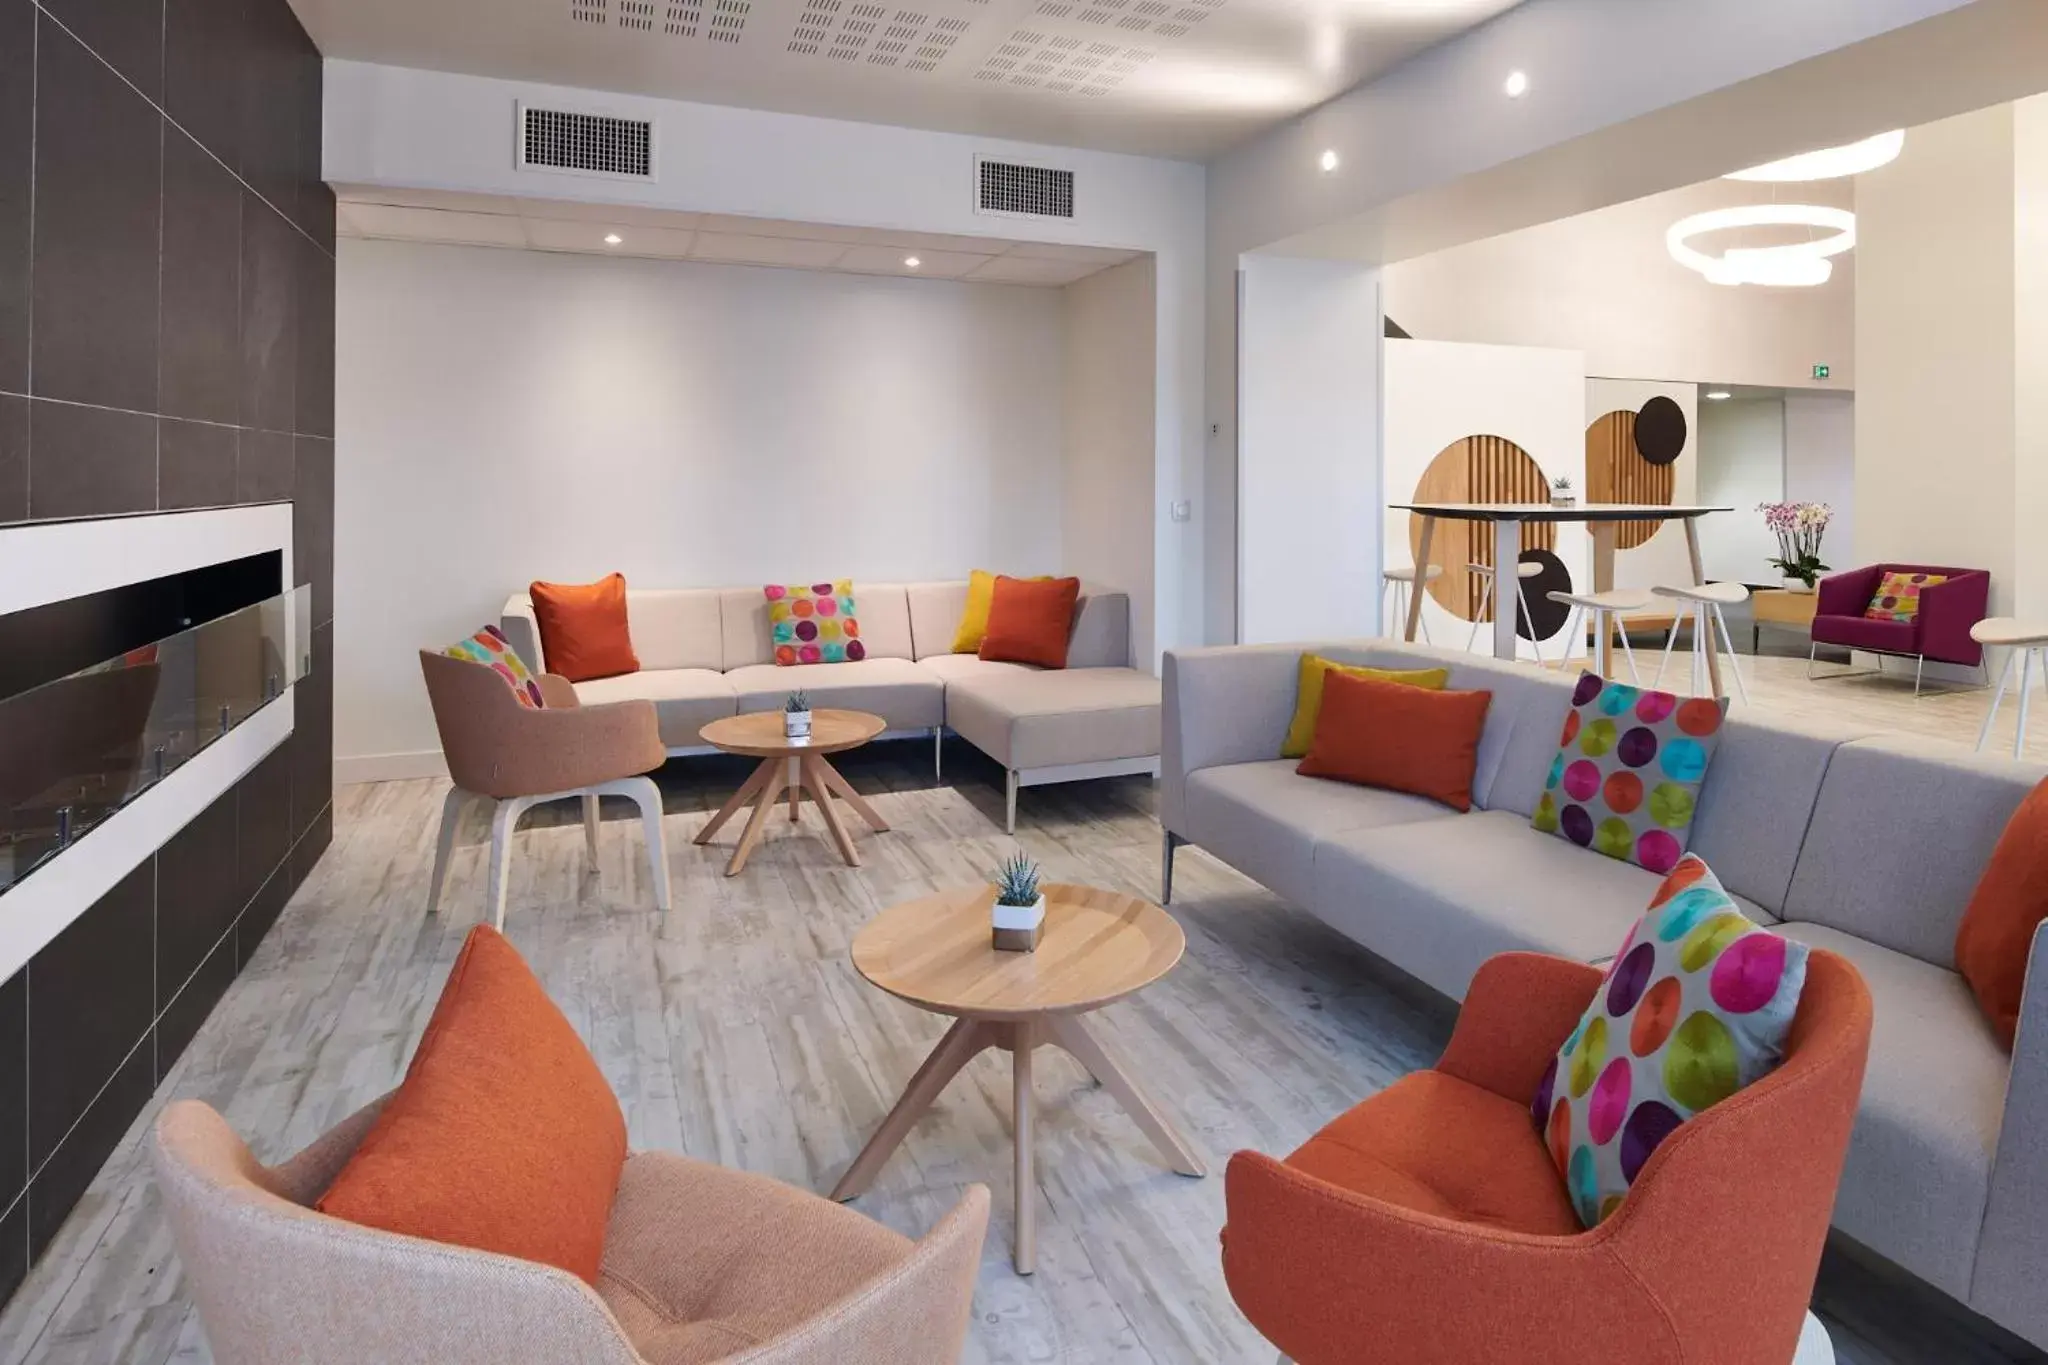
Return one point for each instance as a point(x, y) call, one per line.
point(1398, 738)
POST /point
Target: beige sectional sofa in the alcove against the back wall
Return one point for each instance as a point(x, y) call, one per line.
point(708, 654)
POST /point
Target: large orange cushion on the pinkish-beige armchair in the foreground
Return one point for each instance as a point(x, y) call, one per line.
point(505, 1135)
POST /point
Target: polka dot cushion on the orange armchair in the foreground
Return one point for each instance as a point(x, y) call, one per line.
point(1697, 1006)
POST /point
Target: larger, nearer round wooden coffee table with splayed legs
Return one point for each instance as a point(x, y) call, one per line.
point(1099, 946)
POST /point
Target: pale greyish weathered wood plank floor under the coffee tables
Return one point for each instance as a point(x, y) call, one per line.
point(736, 1030)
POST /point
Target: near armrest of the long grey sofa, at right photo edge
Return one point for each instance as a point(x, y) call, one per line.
point(2014, 1243)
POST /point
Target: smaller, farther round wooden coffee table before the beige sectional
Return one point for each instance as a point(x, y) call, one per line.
point(796, 766)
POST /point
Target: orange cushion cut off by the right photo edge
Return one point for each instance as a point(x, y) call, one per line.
point(2010, 904)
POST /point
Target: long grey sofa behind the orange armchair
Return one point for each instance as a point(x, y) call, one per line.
point(1867, 846)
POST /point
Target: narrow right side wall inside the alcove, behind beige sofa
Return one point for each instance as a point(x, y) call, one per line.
point(1107, 416)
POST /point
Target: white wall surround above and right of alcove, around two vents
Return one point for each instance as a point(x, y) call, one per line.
point(433, 130)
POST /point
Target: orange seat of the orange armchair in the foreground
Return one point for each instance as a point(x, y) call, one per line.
point(1439, 1145)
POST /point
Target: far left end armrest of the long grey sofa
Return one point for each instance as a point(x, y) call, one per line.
point(1224, 705)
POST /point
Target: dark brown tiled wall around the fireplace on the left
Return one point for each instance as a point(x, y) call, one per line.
point(167, 341)
